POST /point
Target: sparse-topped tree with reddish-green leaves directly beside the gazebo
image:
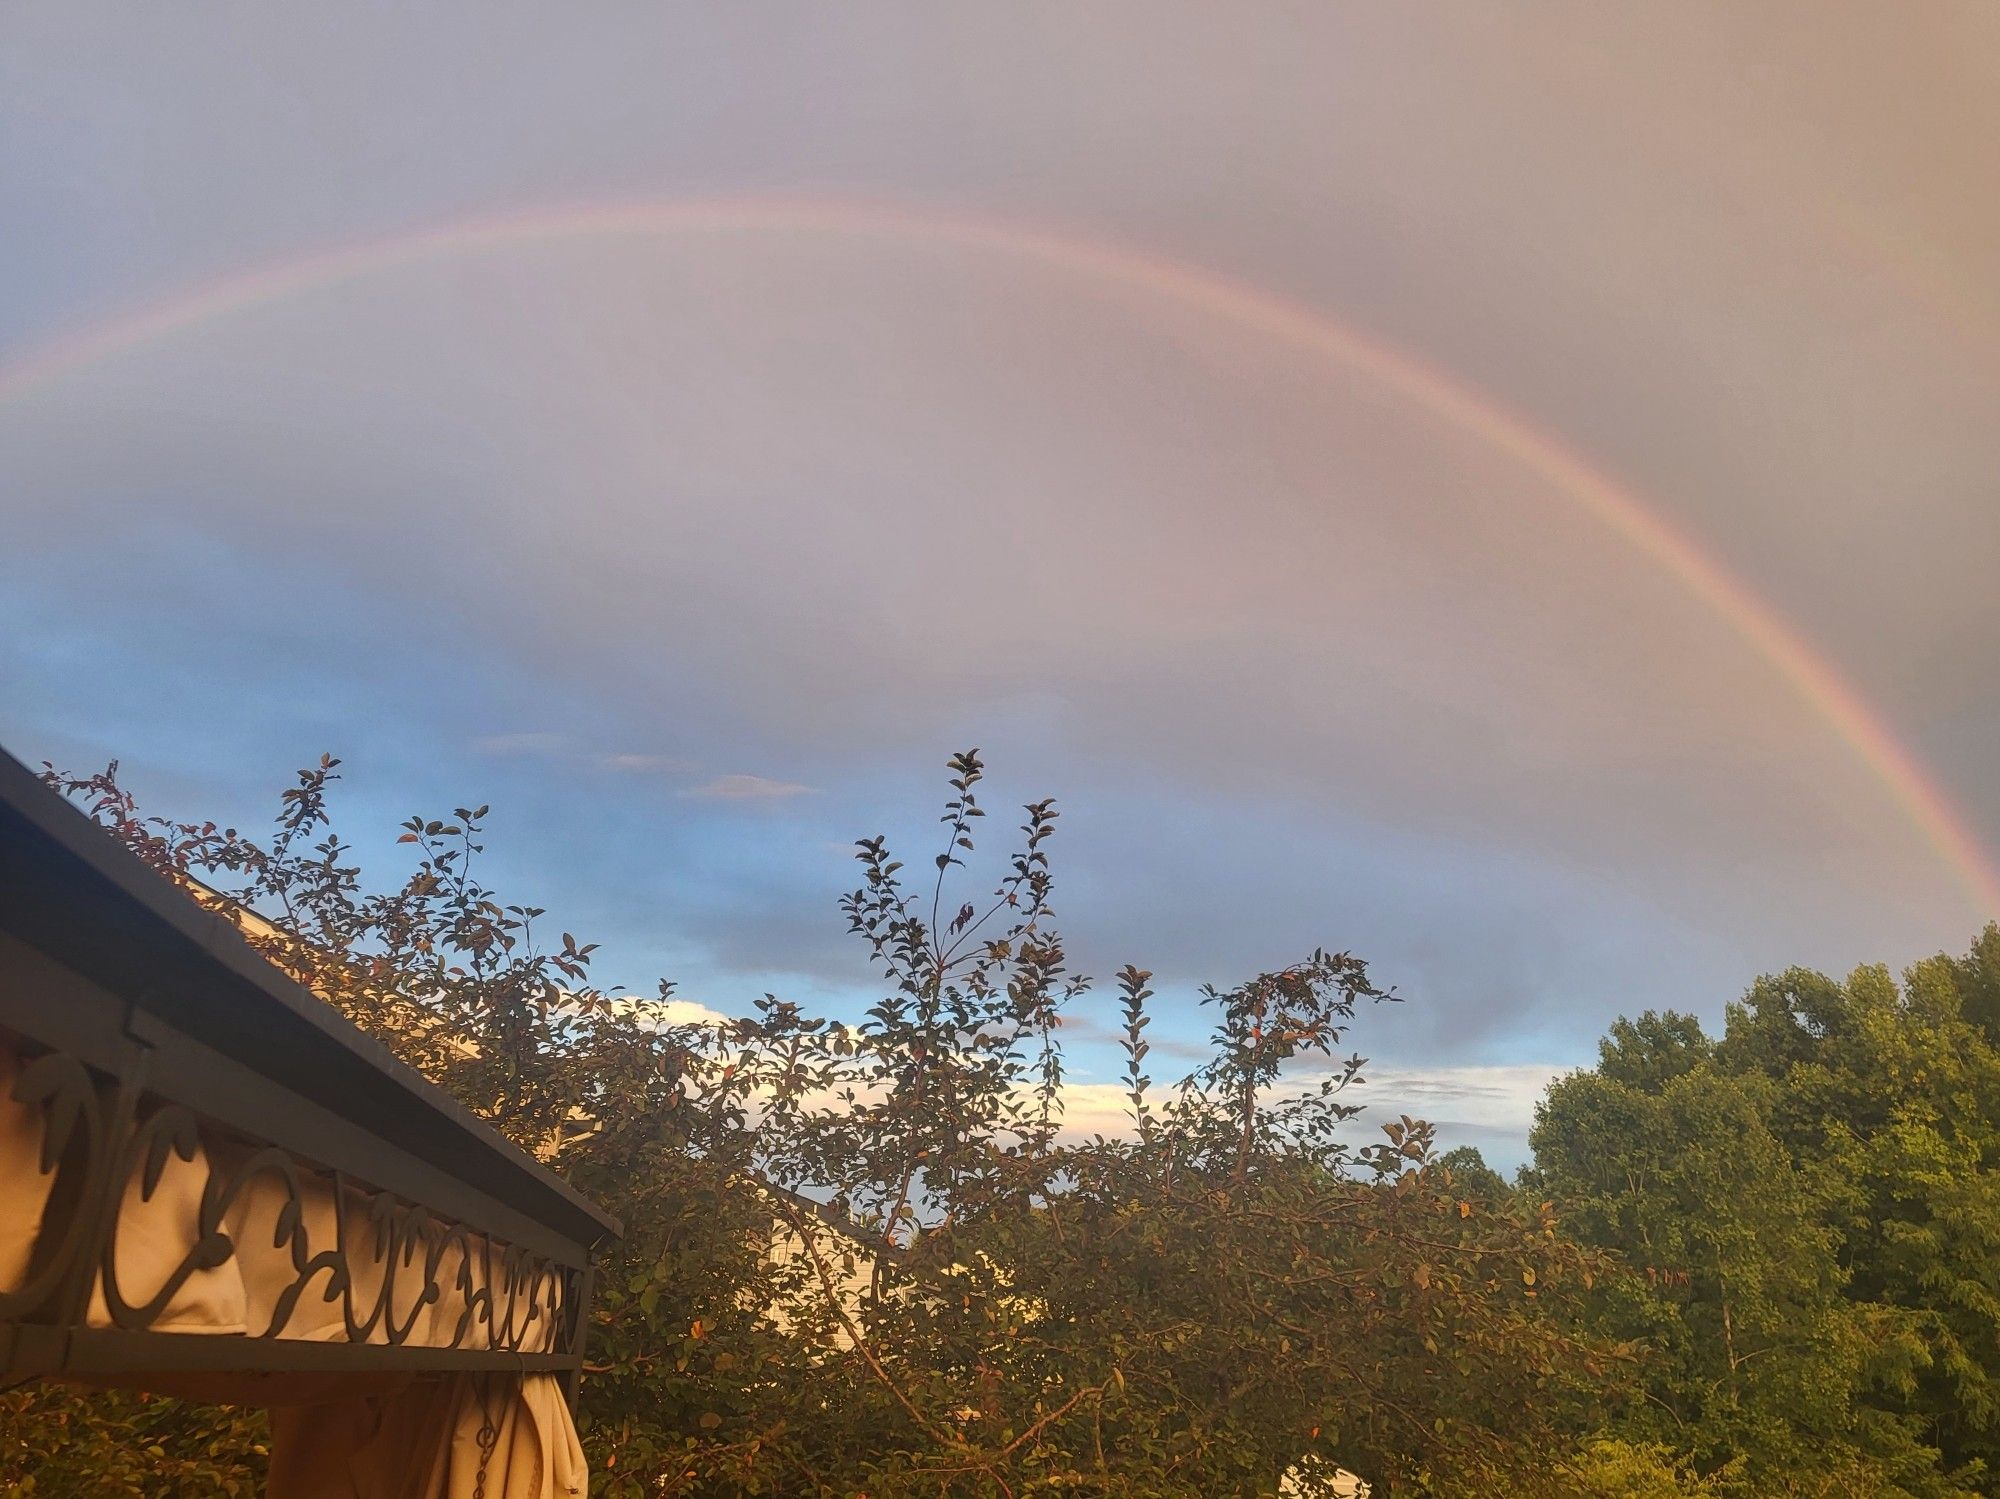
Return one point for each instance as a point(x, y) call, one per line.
point(1191, 1308)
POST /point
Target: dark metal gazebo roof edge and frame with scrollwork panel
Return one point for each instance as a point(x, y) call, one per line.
point(143, 1026)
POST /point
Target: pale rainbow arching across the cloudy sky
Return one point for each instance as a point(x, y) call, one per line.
point(1817, 681)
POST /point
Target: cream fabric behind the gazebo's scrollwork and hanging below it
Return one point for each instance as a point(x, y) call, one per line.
point(335, 1436)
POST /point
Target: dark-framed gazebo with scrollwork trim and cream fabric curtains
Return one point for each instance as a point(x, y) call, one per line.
point(215, 1186)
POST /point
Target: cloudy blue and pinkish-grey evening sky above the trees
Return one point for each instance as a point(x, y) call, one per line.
point(1501, 491)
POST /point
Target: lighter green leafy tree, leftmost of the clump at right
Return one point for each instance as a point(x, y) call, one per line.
point(1737, 1282)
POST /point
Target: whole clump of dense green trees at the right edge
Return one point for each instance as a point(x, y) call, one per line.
point(1819, 1194)
